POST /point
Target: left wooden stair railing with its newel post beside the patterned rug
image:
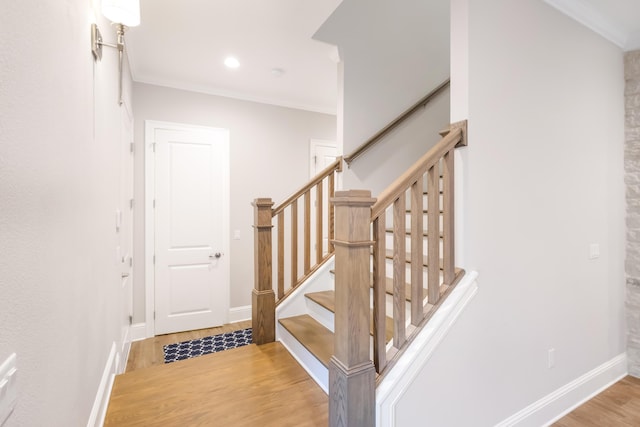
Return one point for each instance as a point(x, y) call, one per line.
point(303, 245)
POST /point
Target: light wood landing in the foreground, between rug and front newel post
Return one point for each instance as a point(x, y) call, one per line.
point(247, 386)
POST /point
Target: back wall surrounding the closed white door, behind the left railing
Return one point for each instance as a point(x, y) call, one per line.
point(269, 151)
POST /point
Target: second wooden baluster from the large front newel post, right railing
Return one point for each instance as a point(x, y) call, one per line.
point(399, 270)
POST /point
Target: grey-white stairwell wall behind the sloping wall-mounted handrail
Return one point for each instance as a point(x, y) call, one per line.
point(393, 54)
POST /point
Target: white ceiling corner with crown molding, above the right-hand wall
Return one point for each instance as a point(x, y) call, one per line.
point(616, 20)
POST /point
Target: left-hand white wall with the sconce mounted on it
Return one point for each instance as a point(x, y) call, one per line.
point(59, 184)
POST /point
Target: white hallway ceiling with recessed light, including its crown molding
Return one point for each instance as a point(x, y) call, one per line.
point(183, 43)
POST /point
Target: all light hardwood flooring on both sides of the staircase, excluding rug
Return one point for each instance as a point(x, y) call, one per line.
point(228, 388)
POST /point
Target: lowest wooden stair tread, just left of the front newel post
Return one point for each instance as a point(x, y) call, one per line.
point(312, 335)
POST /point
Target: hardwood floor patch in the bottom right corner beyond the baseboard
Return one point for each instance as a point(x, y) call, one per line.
point(619, 405)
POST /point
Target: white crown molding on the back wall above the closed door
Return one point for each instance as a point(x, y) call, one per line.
point(236, 95)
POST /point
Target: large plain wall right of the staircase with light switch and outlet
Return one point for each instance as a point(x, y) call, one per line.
point(544, 179)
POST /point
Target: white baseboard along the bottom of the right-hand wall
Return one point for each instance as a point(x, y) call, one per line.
point(568, 397)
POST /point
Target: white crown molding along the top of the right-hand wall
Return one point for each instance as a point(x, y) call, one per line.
point(588, 16)
